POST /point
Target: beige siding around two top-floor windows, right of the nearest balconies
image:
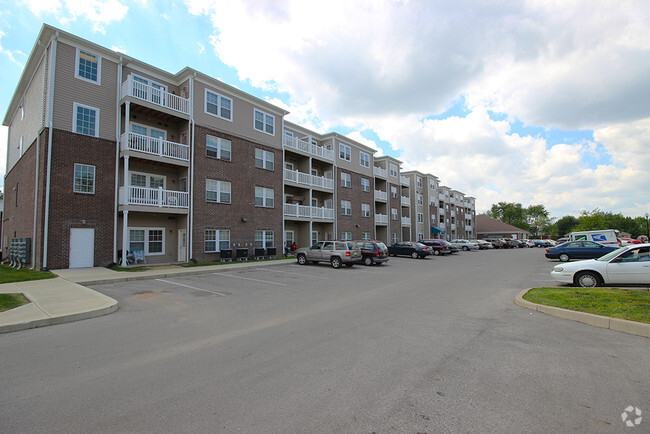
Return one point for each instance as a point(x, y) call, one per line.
point(242, 117)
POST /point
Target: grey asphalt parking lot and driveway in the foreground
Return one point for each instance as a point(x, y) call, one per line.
point(410, 346)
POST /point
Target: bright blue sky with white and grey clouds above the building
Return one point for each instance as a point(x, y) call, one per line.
point(531, 101)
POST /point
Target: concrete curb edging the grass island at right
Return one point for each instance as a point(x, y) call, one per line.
point(605, 322)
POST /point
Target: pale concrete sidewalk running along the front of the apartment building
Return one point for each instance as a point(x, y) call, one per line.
point(64, 299)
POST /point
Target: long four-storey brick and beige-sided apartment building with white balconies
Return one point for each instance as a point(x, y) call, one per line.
point(107, 154)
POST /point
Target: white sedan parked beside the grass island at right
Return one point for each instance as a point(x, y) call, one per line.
point(628, 265)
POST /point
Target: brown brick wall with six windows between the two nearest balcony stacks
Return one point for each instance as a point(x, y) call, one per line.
point(243, 176)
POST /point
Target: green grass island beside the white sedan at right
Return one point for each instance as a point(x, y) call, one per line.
point(612, 302)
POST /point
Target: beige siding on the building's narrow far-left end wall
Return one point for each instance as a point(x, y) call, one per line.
point(30, 125)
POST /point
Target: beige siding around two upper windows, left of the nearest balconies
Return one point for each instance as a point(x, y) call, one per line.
point(69, 90)
